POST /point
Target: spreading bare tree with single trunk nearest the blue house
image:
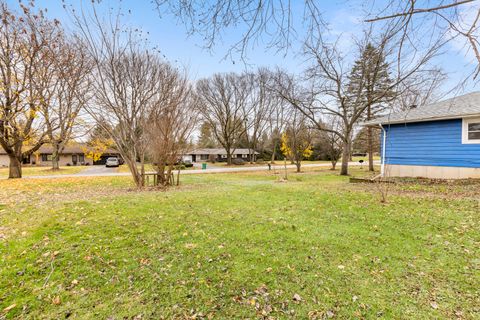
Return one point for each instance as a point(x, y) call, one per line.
point(327, 91)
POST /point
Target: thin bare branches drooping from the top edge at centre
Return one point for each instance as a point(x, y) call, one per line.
point(276, 22)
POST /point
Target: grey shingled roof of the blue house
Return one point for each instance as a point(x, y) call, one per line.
point(454, 108)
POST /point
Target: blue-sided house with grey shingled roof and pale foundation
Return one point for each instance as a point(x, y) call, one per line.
point(440, 140)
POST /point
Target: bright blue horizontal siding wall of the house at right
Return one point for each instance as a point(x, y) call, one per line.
point(434, 143)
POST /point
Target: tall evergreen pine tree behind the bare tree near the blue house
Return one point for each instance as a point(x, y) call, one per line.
point(370, 85)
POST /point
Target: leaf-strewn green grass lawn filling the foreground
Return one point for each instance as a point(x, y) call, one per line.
point(236, 246)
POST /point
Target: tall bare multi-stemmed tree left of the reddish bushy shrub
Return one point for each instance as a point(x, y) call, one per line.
point(125, 76)
